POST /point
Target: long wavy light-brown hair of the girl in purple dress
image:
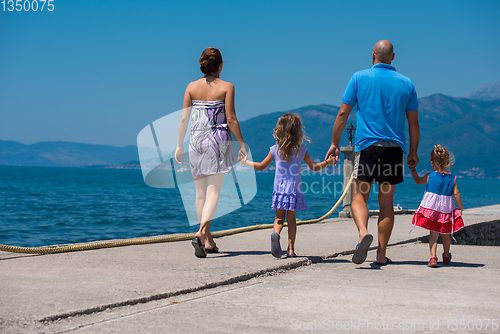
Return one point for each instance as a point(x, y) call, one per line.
point(289, 135)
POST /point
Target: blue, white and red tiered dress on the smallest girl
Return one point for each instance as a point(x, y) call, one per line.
point(437, 211)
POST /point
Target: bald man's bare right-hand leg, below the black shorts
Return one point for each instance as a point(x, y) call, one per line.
point(385, 219)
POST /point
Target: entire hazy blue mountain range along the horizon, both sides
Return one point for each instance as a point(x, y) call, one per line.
point(468, 127)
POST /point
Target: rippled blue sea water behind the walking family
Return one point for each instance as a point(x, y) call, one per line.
point(42, 206)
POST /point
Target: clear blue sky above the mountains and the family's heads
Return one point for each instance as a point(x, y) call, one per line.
point(99, 71)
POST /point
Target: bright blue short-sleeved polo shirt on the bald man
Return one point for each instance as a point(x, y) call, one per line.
point(383, 97)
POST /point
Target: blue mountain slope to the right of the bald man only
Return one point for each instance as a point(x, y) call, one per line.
point(470, 129)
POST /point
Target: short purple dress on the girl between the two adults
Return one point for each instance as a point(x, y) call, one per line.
point(287, 193)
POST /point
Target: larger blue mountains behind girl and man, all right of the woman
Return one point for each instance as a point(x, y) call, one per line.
point(469, 128)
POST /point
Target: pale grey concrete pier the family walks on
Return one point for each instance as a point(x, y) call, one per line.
point(164, 288)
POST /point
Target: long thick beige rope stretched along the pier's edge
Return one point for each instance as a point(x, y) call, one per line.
point(157, 239)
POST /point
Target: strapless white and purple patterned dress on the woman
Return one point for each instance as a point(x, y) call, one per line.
point(210, 143)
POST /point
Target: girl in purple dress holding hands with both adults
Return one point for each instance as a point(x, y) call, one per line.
point(288, 197)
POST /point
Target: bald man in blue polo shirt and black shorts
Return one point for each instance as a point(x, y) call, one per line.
point(385, 100)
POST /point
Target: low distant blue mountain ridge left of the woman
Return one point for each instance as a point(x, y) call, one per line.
point(64, 154)
